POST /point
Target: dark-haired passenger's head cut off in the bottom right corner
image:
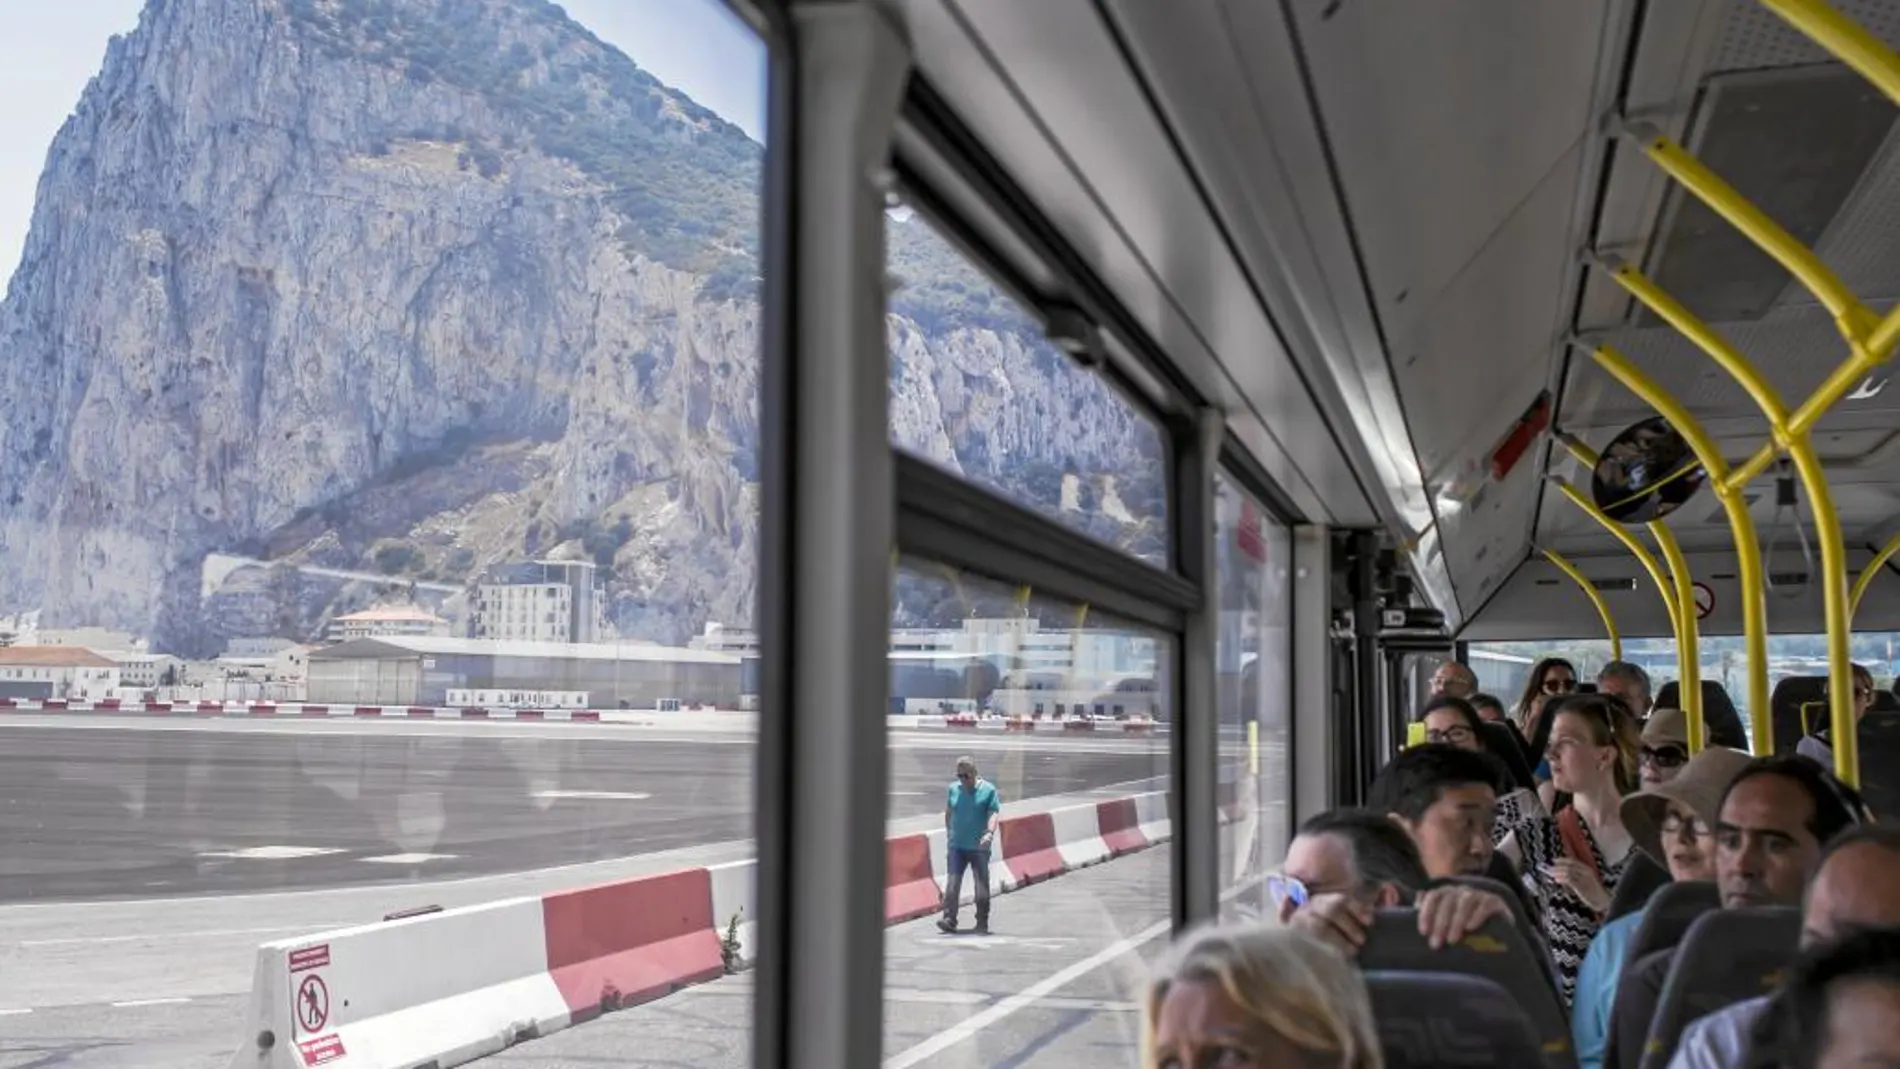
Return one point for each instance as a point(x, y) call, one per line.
point(1840, 1009)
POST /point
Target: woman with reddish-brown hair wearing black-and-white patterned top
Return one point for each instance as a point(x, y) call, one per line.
point(1576, 857)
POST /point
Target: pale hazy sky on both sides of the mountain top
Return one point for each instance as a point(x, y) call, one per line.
point(52, 48)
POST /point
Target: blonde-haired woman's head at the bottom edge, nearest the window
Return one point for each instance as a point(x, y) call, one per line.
point(1253, 996)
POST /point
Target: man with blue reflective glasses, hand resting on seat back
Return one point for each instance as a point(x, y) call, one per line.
point(1348, 863)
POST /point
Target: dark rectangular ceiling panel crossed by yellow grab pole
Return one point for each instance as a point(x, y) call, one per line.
point(1795, 141)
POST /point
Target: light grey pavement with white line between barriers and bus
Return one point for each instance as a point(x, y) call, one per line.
point(1057, 985)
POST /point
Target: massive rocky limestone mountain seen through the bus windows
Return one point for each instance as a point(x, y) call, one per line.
point(411, 288)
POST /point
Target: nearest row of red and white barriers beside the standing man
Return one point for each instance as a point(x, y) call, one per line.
point(461, 985)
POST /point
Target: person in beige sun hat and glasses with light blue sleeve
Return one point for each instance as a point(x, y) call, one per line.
point(1673, 823)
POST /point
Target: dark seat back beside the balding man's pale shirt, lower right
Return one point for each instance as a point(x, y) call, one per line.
point(1726, 958)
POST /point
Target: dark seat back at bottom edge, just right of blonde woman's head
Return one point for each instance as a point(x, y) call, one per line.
point(1443, 1021)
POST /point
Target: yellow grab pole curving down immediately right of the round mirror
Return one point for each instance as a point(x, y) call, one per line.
point(1741, 527)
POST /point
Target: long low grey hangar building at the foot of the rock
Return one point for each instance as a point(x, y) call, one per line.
point(423, 671)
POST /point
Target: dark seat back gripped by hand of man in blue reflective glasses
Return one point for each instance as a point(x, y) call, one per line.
point(1498, 952)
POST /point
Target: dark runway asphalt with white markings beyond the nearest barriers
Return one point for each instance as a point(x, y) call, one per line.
point(136, 812)
